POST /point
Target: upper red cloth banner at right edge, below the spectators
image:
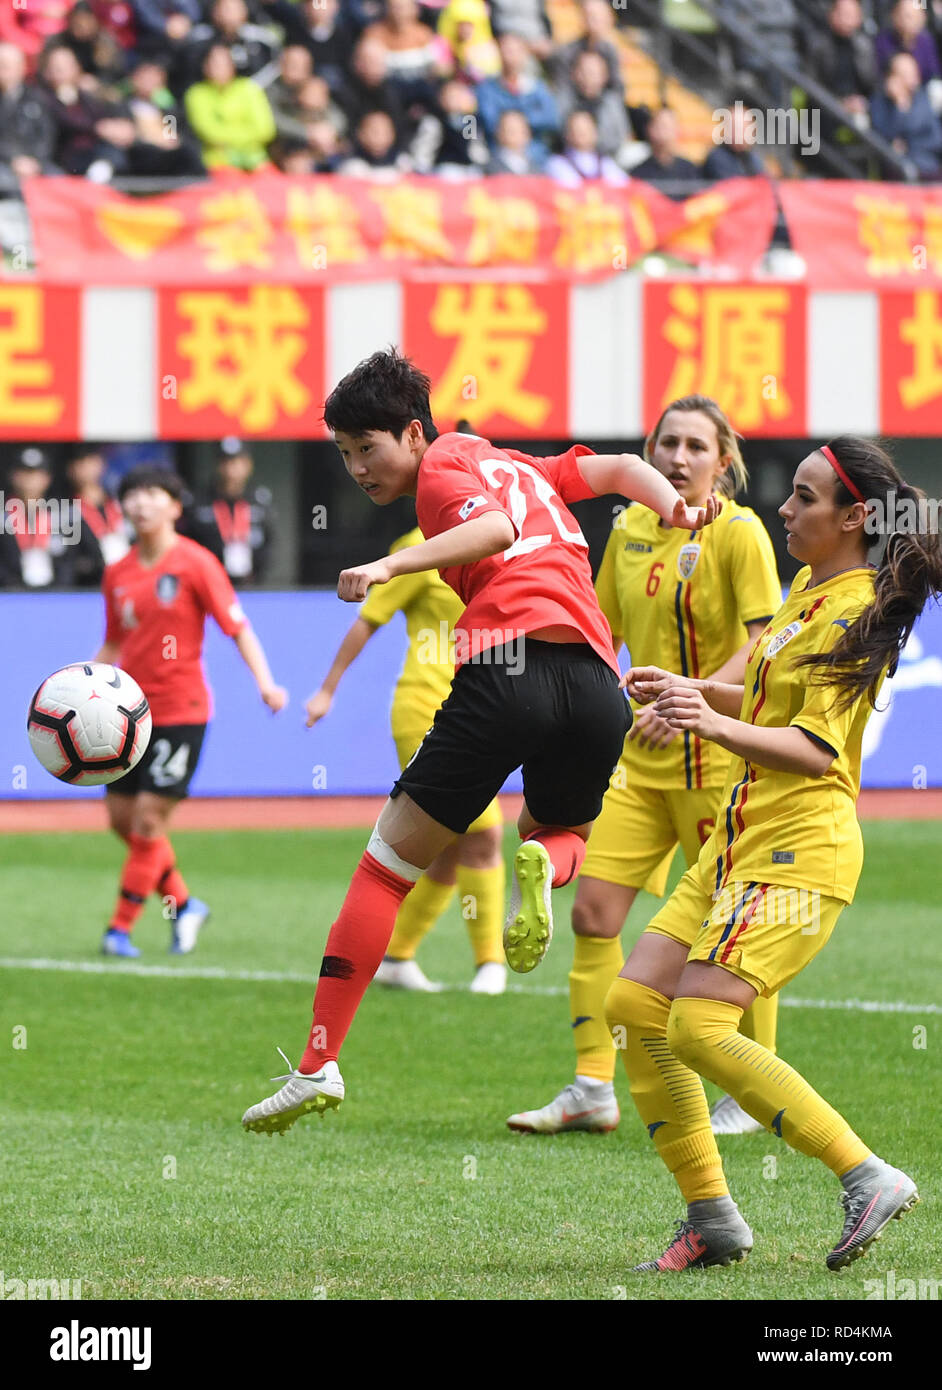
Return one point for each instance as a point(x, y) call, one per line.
point(866, 236)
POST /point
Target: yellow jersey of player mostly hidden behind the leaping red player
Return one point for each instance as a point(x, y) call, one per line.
point(431, 611)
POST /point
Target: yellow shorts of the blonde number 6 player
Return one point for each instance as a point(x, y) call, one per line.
point(633, 842)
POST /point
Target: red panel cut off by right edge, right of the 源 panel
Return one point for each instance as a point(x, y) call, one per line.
point(911, 363)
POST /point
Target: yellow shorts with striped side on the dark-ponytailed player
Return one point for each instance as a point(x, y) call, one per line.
point(761, 932)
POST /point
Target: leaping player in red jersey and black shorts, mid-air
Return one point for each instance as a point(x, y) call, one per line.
point(537, 680)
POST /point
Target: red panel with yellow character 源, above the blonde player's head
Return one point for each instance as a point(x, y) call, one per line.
point(743, 345)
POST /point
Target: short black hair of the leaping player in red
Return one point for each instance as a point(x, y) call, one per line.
point(383, 393)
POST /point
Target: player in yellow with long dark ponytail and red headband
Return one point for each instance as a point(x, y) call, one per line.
point(784, 858)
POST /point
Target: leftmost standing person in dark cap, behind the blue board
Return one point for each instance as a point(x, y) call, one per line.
point(33, 551)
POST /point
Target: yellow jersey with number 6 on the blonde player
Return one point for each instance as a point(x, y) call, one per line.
point(681, 600)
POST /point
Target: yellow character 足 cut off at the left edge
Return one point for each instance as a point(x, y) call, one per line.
point(22, 338)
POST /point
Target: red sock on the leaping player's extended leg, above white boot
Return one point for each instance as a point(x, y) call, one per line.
point(355, 949)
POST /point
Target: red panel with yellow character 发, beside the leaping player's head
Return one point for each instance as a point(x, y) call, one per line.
point(497, 354)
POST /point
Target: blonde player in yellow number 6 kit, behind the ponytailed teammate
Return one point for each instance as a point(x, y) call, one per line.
point(683, 601)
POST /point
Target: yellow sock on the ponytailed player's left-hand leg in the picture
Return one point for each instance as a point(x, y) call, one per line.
point(669, 1096)
